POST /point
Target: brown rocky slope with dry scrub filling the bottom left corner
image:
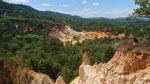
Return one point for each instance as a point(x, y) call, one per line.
point(10, 74)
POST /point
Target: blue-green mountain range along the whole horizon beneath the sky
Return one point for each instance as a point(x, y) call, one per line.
point(16, 10)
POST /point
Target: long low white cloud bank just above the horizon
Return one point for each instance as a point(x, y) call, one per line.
point(87, 13)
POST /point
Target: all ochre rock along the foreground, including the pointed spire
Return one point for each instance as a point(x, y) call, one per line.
point(125, 67)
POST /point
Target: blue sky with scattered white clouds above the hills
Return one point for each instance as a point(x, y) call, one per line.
point(83, 8)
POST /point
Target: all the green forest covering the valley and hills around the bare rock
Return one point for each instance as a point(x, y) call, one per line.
point(24, 40)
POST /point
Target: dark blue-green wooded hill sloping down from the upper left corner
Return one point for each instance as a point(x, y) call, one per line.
point(27, 11)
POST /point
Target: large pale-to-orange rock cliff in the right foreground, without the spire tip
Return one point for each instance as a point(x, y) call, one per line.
point(126, 67)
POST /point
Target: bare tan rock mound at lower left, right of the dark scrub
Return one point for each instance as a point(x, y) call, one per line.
point(25, 76)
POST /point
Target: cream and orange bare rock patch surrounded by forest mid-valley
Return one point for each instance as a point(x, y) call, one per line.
point(68, 34)
